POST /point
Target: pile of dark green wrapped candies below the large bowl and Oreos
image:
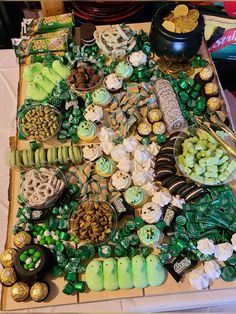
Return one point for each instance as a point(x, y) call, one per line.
point(212, 217)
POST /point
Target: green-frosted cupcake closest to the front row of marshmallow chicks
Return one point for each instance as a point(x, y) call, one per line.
point(150, 235)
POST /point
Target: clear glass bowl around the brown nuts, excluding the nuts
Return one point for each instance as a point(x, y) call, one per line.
point(74, 216)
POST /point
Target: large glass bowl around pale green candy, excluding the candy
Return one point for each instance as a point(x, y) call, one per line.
point(193, 131)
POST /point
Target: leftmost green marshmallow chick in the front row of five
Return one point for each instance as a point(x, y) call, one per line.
point(94, 275)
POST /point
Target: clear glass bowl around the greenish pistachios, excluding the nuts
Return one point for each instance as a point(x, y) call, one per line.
point(32, 137)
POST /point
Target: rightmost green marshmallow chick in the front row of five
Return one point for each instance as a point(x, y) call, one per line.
point(155, 271)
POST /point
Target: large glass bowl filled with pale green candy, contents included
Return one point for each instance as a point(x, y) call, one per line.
point(203, 159)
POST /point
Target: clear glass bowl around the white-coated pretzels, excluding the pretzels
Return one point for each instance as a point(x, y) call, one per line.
point(54, 198)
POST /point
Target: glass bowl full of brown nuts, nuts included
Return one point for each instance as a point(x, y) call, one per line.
point(94, 222)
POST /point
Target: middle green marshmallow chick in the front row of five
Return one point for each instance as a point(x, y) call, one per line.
point(124, 270)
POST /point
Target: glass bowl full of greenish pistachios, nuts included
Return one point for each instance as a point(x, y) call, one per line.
point(39, 122)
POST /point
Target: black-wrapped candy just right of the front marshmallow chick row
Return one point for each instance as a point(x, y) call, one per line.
point(179, 265)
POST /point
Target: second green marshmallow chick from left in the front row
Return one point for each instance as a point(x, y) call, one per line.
point(110, 274)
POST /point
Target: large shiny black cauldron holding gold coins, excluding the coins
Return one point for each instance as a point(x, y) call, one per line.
point(175, 46)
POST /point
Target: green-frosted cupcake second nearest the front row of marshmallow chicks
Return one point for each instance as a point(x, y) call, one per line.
point(135, 196)
